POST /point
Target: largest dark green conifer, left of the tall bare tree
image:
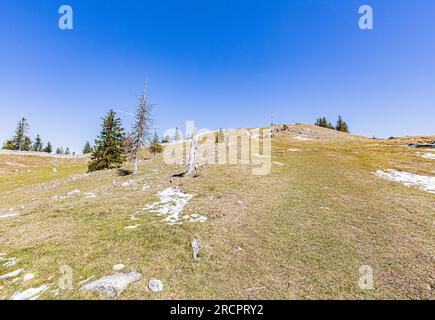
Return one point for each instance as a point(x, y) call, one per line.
point(109, 148)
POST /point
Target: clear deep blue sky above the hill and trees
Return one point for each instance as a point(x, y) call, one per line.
point(221, 63)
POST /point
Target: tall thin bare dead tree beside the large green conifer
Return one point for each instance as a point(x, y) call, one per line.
point(141, 131)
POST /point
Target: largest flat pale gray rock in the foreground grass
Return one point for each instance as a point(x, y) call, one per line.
point(113, 285)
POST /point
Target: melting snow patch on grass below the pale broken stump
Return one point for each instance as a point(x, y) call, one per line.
point(171, 204)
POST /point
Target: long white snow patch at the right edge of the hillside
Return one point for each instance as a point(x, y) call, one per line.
point(409, 179)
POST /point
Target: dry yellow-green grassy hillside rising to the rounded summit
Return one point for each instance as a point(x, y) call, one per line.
point(301, 232)
